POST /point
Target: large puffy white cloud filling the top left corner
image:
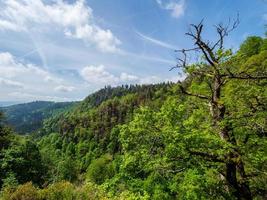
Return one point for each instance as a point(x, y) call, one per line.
point(75, 20)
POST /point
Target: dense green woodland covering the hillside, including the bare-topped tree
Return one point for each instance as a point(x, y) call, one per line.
point(203, 138)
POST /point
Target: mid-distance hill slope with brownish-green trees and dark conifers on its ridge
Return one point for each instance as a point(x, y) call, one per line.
point(106, 108)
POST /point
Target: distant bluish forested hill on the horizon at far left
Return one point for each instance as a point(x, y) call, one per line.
point(28, 117)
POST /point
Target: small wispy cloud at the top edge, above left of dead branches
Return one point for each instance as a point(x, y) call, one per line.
point(177, 8)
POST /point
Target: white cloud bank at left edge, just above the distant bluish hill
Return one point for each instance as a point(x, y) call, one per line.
point(25, 81)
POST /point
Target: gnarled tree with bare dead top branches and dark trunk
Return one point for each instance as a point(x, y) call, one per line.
point(218, 75)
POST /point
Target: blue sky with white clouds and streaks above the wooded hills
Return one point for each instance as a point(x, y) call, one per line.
point(63, 50)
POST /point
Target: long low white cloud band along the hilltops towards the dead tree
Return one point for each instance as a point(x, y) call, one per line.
point(23, 81)
